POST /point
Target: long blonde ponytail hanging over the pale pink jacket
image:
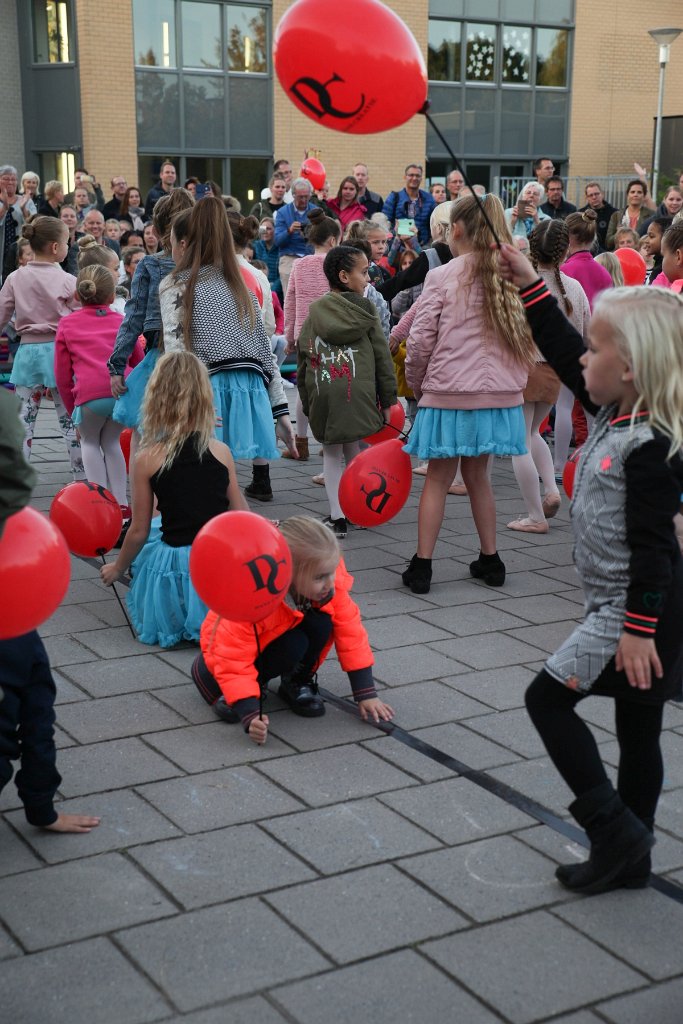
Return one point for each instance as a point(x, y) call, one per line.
point(503, 311)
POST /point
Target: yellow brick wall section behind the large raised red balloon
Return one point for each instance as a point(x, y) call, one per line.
point(387, 154)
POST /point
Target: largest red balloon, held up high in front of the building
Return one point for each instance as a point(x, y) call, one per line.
point(360, 73)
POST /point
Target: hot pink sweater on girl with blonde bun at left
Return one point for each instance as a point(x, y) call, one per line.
point(86, 342)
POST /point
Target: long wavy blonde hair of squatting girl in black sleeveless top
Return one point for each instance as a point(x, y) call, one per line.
point(179, 403)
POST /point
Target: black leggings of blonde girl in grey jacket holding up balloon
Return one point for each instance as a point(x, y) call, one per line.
point(575, 753)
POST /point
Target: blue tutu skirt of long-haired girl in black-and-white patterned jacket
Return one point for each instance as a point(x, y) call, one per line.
point(243, 406)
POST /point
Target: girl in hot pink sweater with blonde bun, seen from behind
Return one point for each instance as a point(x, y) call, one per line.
point(84, 344)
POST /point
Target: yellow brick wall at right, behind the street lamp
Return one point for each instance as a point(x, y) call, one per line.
point(616, 83)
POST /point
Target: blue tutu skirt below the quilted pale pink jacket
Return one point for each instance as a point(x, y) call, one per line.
point(447, 434)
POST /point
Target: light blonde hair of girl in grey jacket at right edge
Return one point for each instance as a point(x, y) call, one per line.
point(648, 324)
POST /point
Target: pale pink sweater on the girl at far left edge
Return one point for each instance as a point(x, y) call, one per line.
point(39, 294)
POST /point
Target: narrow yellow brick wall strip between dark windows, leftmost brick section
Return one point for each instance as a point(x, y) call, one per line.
point(108, 90)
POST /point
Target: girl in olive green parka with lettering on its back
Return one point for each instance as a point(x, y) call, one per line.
point(345, 369)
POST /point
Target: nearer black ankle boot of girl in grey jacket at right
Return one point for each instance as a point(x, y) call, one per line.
point(620, 841)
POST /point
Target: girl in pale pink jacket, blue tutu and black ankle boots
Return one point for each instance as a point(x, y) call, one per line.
point(468, 359)
